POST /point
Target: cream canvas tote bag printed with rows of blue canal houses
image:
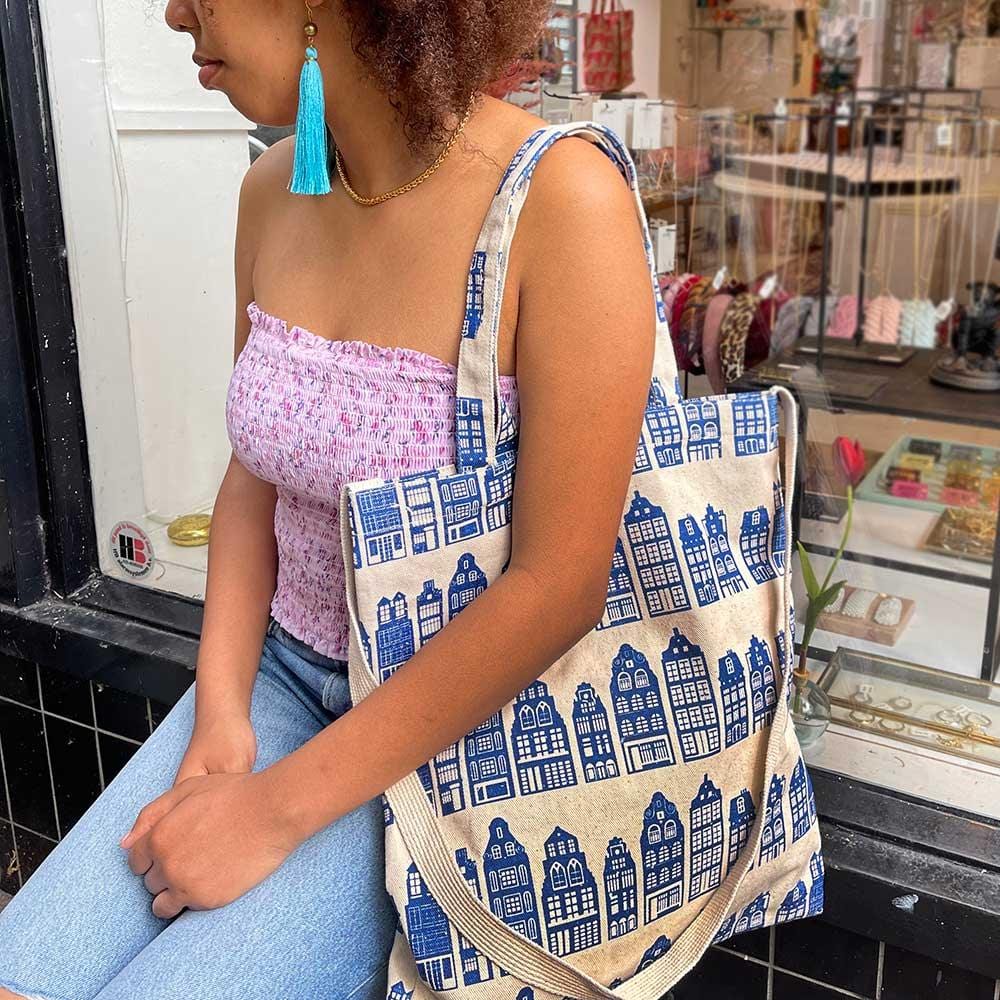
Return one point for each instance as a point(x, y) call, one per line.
point(646, 795)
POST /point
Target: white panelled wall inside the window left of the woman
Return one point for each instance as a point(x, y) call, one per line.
point(149, 171)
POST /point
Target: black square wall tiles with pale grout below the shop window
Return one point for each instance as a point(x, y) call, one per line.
point(63, 739)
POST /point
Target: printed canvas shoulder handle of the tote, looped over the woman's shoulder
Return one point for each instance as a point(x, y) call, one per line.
point(477, 395)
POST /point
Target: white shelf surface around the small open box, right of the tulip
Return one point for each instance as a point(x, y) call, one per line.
point(945, 632)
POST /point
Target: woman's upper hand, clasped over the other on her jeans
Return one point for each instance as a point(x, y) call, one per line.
point(208, 840)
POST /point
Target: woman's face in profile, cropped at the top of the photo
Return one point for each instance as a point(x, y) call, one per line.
point(255, 49)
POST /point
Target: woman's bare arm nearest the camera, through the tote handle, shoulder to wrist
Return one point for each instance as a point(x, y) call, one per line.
point(585, 336)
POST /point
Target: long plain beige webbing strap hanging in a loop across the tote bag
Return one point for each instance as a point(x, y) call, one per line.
point(417, 824)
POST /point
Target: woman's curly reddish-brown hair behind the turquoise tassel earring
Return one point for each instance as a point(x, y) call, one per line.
point(430, 56)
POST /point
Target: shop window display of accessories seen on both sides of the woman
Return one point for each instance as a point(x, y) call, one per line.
point(822, 182)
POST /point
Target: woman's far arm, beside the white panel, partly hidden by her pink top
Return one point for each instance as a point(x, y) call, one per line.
point(242, 552)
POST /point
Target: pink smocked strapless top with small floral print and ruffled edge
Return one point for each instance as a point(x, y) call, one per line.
point(310, 414)
